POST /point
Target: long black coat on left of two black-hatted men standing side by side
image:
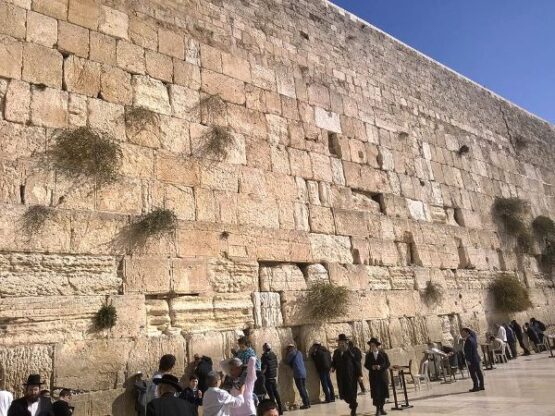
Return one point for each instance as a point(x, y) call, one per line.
point(348, 369)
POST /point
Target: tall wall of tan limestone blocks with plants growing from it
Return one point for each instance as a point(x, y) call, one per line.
point(344, 166)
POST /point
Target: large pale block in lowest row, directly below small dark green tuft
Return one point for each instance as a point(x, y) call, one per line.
point(91, 365)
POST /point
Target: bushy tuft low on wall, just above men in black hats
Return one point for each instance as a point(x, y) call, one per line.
point(327, 301)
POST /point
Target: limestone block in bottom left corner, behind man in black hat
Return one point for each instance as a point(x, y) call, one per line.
point(16, 362)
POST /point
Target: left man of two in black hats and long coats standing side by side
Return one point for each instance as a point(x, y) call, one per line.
point(348, 370)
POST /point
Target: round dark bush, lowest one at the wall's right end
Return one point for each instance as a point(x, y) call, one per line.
point(509, 295)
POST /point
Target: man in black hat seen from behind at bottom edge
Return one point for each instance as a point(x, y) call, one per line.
point(167, 404)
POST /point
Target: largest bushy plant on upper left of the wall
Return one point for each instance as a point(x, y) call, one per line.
point(84, 153)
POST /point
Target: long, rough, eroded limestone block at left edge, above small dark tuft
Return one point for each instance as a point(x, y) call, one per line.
point(23, 274)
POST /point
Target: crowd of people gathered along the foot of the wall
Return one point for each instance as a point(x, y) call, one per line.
point(247, 384)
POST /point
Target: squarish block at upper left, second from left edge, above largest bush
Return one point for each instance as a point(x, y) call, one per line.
point(42, 65)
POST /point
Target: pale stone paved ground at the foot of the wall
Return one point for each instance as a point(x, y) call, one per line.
point(524, 387)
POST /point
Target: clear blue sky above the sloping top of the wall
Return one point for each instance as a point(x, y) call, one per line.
point(507, 46)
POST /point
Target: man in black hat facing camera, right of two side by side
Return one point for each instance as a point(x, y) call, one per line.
point(377, 363)
